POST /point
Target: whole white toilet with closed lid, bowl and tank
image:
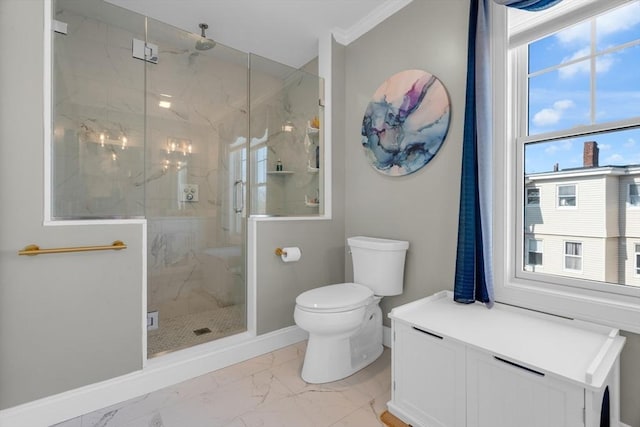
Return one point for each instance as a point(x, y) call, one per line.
point(344, 321)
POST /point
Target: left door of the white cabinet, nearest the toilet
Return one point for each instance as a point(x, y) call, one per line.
point(429, 378)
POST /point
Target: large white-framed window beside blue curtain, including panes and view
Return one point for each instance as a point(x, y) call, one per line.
point(565, 114)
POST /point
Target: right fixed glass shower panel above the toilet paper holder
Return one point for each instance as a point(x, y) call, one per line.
point(280, 96)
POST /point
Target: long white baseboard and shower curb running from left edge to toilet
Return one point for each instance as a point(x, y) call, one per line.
point(157, 373)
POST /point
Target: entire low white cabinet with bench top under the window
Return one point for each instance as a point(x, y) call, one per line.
point(457, 365)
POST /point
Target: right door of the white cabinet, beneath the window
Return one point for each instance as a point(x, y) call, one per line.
point(503, 394)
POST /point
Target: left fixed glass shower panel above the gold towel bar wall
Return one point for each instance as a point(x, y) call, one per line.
point(98, 111)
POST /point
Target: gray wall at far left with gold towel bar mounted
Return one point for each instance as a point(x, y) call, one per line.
point(65, 320)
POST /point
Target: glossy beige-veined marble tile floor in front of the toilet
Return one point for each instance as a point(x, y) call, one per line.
point(265, 391)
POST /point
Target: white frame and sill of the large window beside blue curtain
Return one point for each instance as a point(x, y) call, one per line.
point(618, 306)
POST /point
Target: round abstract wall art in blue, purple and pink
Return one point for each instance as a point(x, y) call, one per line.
point(406, 122)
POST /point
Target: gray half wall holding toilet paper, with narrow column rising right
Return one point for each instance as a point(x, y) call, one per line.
point(321, 241)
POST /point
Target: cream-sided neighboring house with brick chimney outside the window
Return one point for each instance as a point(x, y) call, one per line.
point(584, 222)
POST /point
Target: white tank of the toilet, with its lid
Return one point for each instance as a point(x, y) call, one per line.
point(378, 263)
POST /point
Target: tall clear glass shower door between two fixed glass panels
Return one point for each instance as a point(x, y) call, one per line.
point(196, 117)
